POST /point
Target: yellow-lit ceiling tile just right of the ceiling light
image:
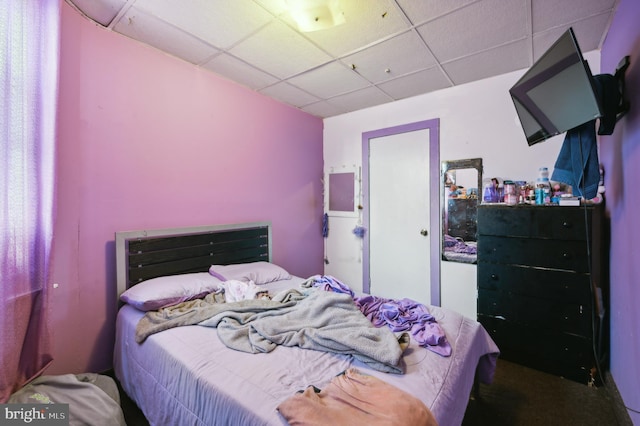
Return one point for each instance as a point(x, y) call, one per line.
point(367, 22)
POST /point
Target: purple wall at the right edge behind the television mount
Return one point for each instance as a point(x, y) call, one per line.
point(620, 154)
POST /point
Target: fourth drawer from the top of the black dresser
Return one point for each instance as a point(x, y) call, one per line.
point(554, 316)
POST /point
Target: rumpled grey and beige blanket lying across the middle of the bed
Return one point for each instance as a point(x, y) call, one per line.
point(322, 321)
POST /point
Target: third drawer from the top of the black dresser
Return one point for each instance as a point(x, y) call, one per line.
point(535, 282)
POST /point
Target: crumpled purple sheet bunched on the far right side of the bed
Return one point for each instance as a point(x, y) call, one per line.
point(399, 315)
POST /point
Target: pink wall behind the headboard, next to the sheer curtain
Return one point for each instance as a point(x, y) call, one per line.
point(149, 141)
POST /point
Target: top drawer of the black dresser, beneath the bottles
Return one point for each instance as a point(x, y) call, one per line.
point(561, 223)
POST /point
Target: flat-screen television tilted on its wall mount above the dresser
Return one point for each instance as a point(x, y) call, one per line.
point(557, 93)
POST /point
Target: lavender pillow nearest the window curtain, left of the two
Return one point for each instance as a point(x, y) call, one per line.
point(156, 293)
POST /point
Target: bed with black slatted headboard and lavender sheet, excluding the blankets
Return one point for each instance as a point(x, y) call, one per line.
point(187, 375)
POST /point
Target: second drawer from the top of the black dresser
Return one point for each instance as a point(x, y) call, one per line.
point(567, 255)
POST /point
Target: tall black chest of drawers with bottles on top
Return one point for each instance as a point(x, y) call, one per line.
point(543, 286)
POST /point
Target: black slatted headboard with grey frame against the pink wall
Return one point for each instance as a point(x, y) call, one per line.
point(145, 254)
